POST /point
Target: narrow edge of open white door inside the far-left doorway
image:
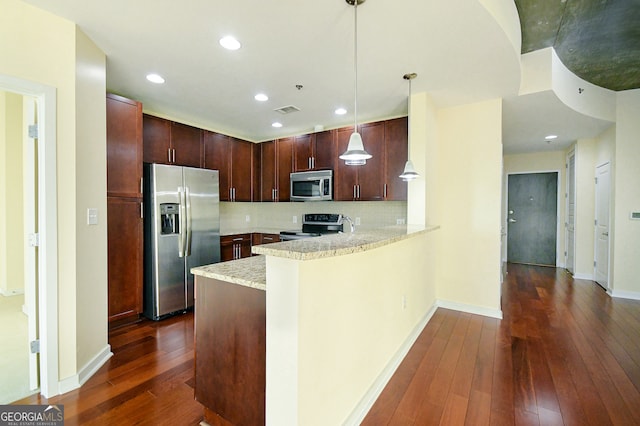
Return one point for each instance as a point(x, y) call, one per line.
point(30, 193)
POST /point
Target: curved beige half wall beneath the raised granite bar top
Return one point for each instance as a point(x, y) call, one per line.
point(346, 317)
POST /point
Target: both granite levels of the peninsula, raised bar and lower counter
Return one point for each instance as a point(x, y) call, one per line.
point(251, 271)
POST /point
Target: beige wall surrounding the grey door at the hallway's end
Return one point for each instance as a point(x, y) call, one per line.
point(541, 162)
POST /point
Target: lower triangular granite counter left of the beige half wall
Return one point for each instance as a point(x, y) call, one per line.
point(249, 272)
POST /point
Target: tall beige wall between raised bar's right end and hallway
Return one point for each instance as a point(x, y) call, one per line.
point(469, 185)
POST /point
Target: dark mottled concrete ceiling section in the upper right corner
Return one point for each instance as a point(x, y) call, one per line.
point(598, 40)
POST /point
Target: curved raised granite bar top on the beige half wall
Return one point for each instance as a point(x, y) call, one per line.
point(340, 244)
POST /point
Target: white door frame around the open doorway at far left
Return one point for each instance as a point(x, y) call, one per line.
point(47, 227)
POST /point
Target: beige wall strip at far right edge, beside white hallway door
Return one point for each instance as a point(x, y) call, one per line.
point(626, 243)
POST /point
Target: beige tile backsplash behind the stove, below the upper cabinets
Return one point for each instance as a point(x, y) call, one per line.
point(247, 217)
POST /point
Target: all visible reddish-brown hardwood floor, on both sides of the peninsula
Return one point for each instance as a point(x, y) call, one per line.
point(564, 354)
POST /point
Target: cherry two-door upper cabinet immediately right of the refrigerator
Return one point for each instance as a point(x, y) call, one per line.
point(234, 159)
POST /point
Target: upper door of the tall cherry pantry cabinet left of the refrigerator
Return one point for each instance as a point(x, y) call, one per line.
point(124, 147)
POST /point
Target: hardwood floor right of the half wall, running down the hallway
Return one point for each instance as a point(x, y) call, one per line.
point(565, 353)
